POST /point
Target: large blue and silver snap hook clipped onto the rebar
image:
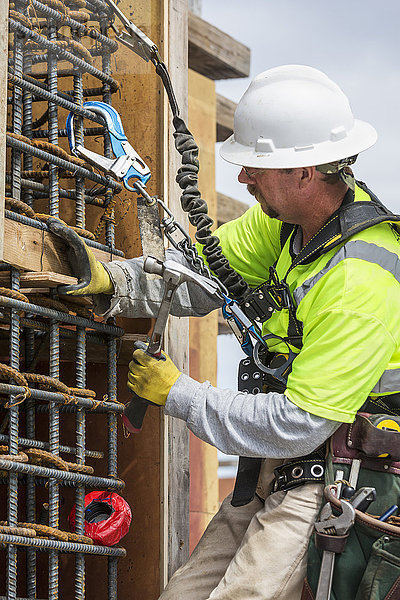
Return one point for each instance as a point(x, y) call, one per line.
point(127, 163)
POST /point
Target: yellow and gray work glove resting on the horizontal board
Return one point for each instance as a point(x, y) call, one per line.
point(93, 277)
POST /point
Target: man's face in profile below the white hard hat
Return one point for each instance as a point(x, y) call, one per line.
point(274, 189)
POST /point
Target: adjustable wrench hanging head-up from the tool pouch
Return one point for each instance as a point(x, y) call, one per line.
point(331, 525)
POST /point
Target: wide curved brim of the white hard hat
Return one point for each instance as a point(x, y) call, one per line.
point(361, 137)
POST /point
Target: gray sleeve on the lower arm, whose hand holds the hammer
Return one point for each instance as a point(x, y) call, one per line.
point(259, 425)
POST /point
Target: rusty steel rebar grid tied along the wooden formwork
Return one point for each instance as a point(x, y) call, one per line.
point(39, 89)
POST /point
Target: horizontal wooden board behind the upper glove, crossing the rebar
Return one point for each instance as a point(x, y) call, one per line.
point(36, 250)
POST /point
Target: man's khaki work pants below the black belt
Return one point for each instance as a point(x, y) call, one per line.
point(257, 551)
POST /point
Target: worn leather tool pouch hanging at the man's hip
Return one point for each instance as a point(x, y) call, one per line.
point(369, 566)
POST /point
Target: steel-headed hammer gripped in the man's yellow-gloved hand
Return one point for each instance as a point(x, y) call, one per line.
point(174, 275)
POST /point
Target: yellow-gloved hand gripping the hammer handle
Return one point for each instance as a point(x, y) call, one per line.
point(150, 378)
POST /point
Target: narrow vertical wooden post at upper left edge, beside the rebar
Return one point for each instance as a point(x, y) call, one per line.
point(3, 111)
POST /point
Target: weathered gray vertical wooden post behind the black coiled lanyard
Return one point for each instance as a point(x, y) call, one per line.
point(175, 489)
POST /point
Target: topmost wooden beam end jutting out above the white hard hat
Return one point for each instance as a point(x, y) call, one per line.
point(214, 53)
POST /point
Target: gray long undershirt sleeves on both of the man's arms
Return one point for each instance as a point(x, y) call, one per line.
point(259, 425)
